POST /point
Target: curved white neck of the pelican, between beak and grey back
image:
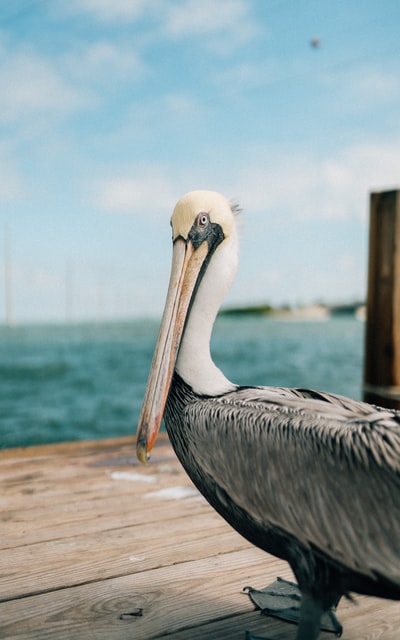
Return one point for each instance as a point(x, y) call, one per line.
point(194, 363)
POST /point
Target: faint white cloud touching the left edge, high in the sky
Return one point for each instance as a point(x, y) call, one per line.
point(32, 85)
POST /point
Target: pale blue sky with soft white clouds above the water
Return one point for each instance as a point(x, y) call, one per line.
point(113, 109)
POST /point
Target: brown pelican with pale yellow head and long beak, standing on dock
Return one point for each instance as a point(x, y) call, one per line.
point(310, 477)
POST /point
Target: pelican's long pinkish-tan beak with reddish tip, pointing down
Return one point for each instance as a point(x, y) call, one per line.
point(186, 266)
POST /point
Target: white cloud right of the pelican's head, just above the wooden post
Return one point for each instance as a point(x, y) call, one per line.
point(336, 186)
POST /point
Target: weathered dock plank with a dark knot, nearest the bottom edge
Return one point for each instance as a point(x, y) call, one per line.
point(178, 596)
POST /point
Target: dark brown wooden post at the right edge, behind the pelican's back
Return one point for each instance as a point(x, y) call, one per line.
point(382, 347)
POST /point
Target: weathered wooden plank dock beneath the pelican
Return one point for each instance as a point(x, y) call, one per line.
point(96, 547)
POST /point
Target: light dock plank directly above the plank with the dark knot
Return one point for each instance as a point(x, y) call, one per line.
point(106, 554)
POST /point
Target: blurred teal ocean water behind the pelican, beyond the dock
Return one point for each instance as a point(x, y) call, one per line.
point(86, 381)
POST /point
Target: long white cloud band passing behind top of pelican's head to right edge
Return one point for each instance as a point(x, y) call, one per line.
point(291, 186)
